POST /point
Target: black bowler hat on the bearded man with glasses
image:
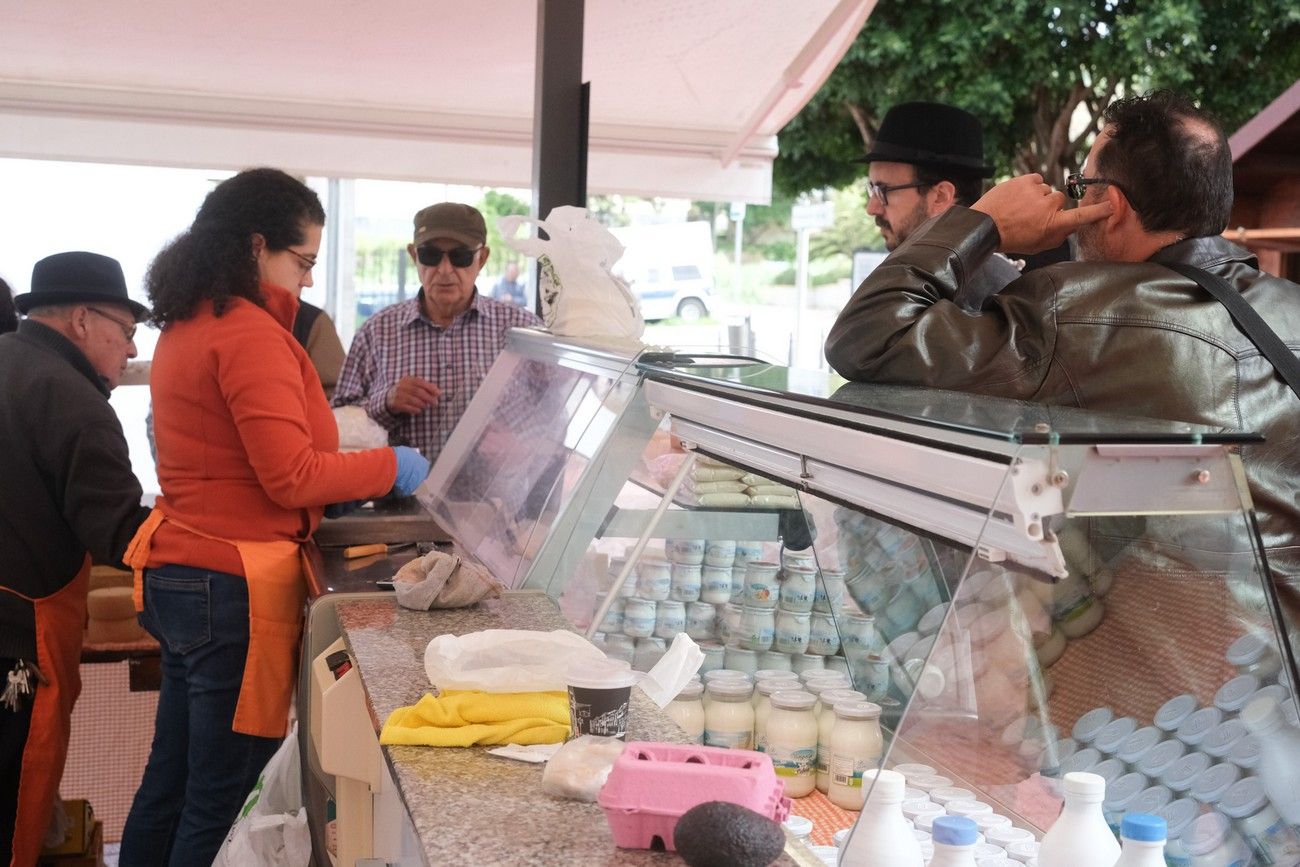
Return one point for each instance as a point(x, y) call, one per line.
point(938, 137)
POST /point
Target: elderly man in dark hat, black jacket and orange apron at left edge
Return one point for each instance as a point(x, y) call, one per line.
point(68, 496)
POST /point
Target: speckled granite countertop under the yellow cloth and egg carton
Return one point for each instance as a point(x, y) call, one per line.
point(470, 808)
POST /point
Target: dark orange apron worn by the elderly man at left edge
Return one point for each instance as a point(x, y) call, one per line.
point(60, 623)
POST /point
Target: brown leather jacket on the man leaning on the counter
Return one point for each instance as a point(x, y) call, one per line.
point(1124, 339)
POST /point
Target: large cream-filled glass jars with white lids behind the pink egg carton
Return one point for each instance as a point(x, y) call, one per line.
point(821, 734)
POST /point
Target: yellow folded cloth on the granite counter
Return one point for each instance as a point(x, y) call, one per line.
point(465, 718)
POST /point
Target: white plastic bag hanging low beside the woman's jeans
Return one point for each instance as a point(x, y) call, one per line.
point(272, 826)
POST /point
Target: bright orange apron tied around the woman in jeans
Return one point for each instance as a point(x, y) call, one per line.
point(278, 589)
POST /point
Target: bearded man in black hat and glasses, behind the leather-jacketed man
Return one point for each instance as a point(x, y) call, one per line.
point(926, 159)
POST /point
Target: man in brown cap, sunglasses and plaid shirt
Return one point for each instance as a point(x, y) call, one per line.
point(415, 366)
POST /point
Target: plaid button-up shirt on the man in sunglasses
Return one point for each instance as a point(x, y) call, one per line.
point(401, 341)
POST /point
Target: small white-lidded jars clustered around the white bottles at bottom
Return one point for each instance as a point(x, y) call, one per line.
point(928, 795)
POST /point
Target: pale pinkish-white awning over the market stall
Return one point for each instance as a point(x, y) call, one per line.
point(687, 97)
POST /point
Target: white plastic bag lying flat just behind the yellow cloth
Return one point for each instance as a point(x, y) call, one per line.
point(506, 661)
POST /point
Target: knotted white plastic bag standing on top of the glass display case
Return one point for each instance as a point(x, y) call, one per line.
point(580, 293)
